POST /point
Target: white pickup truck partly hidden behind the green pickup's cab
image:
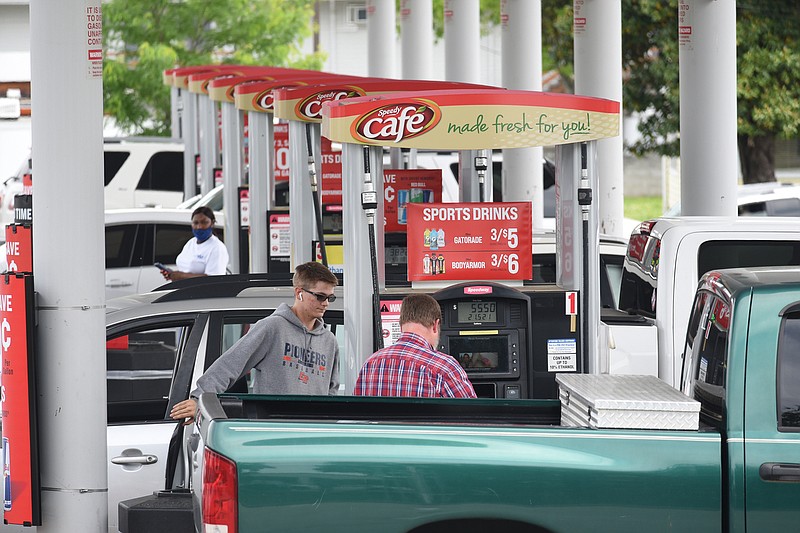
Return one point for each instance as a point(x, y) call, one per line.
point(666, 258)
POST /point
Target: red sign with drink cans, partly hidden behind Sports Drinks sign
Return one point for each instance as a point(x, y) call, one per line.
point(401, 187)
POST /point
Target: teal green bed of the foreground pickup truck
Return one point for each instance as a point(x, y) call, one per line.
point(502, 464)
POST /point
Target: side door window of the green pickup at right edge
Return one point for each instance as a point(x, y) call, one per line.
point(789, 373)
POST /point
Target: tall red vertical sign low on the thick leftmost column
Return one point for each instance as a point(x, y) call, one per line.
point(20, 459)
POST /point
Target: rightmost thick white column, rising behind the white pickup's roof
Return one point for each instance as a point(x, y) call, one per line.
point(707, 58)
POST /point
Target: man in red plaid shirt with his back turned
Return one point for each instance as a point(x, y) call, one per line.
point(412, 366)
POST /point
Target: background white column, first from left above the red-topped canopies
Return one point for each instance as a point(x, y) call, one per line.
point(381, 23)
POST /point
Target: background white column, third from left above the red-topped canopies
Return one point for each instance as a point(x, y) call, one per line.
point(462, 39)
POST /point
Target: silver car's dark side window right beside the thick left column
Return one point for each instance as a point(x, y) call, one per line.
point(140, 365)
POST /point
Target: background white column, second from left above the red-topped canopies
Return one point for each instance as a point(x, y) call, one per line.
point(416, 39)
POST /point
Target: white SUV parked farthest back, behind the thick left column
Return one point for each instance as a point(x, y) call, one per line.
point(138, 172)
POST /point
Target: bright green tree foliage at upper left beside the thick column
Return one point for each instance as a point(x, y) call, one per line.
point(144, 37)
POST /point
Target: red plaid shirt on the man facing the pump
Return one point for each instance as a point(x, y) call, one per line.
point(412, 367)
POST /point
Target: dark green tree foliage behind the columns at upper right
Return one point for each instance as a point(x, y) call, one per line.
point(768, 64)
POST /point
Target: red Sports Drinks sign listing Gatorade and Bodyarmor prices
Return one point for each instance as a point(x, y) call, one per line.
point(466, 241)
